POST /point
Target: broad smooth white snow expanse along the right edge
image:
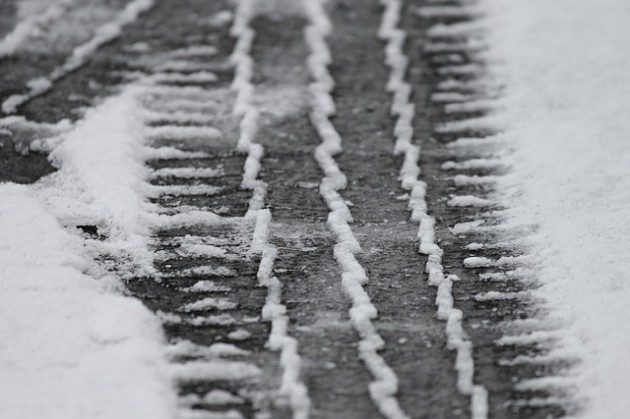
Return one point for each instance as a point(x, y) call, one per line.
point(567, 70)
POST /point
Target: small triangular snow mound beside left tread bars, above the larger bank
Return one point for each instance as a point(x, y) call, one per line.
point(101, 180)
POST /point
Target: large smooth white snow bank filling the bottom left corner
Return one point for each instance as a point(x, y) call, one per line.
point(71, 346)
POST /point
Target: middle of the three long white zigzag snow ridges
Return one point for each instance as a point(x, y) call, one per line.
point(385, 385)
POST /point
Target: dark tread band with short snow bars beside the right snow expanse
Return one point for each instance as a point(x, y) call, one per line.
point(513, 338)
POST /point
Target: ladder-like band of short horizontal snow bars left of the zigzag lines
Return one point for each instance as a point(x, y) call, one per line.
point(199, 250)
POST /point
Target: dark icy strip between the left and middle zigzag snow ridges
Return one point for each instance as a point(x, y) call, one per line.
point(306, 266)
